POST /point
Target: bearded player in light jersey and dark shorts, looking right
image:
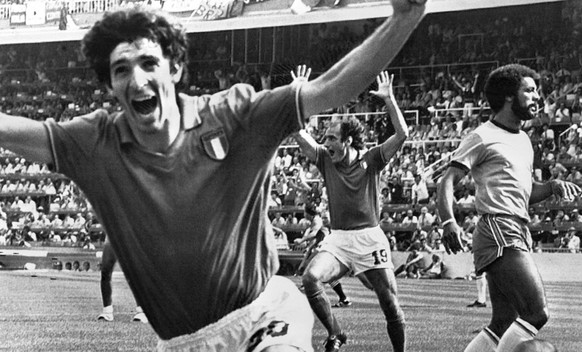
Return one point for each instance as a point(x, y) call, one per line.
point(499, 156)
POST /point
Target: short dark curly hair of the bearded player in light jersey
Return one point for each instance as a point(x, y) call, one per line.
point(505, 82)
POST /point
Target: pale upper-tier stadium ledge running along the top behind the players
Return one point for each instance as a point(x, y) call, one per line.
point(264, 13)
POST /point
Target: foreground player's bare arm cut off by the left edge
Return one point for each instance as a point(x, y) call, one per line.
point(25, 137)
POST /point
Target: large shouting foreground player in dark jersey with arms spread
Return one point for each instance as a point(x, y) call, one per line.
point(181, 183)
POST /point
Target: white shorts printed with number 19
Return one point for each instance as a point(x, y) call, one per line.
point(359, 250)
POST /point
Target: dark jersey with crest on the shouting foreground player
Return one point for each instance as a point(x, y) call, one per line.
point(190, 225)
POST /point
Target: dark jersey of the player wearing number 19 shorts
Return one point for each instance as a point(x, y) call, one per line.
point(352, 190)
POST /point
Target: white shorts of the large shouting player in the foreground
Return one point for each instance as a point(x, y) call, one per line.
point(280, 315)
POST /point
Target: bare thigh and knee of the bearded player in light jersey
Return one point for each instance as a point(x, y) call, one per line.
point(515, 281)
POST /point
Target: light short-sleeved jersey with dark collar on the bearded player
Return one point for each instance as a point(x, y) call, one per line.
point(501, 163)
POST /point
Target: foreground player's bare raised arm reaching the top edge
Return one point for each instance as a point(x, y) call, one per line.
point(352, 74)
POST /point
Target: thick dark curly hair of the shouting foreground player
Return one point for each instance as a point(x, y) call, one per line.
point(128, 25)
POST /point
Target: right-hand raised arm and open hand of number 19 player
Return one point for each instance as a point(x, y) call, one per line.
point(385, 91)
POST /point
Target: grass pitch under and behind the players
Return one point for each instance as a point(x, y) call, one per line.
point(57, 311)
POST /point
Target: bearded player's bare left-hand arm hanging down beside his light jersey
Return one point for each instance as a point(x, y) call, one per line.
point(451, 230)
